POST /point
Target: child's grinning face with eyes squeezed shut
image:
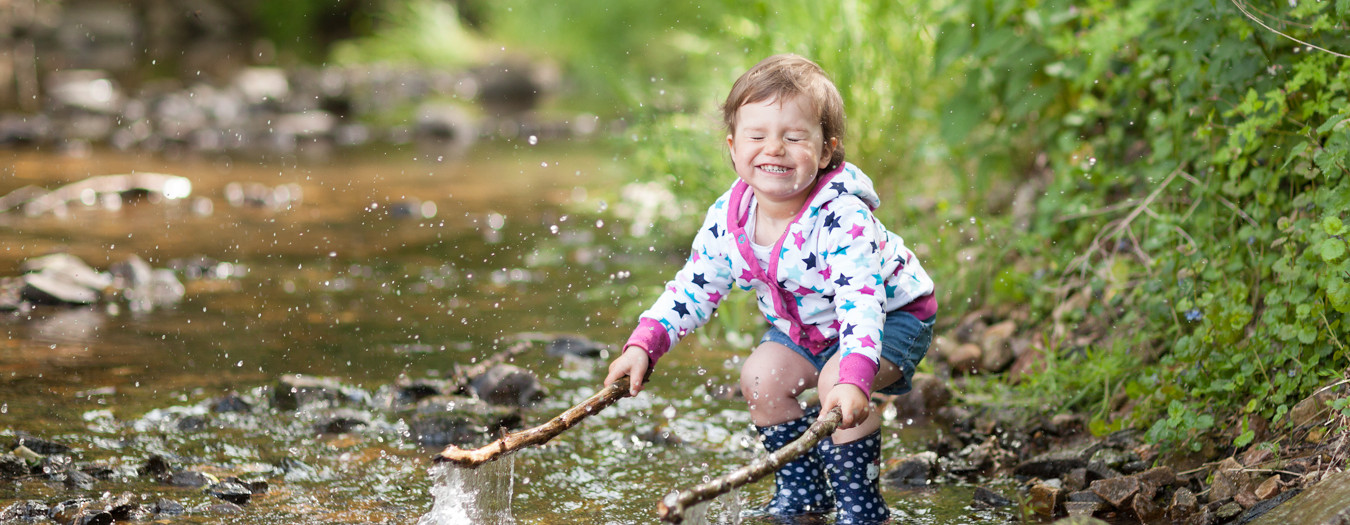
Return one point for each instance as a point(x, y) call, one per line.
point(778, 149)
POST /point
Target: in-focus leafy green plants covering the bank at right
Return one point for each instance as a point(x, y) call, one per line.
point(1205, 149)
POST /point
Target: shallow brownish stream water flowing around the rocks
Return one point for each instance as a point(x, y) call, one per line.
point(362, 281)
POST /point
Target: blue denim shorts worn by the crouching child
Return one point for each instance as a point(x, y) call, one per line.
point(905, 341)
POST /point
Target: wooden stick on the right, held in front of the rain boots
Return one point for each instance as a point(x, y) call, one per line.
point(673, 508)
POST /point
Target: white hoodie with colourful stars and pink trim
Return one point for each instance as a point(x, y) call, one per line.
point(831, 279)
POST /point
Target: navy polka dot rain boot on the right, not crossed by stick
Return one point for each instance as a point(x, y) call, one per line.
point(855, 473)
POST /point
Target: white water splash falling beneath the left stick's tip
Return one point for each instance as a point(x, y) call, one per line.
point(464, 496)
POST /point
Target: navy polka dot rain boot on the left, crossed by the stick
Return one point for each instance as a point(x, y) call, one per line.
point(800, 485)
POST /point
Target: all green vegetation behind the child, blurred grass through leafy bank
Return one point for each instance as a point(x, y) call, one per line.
point(1155, 191)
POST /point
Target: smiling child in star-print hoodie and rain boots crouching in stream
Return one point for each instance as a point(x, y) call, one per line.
point(850, 307)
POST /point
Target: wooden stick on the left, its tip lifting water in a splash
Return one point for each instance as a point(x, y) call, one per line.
point(538, 435)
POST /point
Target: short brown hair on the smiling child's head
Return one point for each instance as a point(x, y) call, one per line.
point(785, 76)
